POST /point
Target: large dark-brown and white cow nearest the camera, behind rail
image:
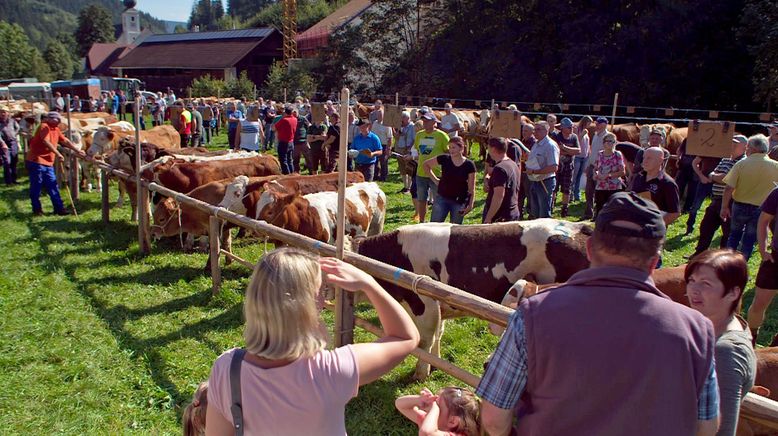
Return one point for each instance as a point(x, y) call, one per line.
point(484, 260)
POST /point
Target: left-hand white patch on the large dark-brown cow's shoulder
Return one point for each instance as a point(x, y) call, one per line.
point(425, 243)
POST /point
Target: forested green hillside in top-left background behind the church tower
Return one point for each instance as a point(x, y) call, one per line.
point(44, 20)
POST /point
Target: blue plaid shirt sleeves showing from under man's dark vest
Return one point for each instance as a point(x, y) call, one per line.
point(506, 377)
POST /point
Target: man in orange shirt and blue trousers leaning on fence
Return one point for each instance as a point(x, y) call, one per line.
point(40, 163)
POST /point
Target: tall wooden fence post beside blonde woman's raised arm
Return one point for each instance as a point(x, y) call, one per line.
point(344, 301)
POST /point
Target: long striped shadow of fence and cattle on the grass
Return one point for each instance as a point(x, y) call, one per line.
point(62, 238)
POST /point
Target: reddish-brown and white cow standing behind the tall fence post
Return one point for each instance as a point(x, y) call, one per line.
point(315, 215)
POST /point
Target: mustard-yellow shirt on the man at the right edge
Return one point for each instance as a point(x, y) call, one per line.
point(753, 179)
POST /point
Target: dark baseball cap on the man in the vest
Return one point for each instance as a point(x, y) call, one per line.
point(630, 215)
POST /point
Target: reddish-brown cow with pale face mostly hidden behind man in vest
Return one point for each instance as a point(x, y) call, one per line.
point(670, 281)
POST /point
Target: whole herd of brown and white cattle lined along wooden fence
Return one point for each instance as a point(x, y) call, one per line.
point(498, 262)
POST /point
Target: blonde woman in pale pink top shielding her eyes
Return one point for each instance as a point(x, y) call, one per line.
point(290, 383)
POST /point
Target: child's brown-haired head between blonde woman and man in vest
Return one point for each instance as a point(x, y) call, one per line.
point(460, 411)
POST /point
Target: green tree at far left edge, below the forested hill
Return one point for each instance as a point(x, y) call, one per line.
point(18, 58)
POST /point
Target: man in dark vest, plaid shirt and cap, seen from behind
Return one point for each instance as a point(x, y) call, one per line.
point(606, 353)
